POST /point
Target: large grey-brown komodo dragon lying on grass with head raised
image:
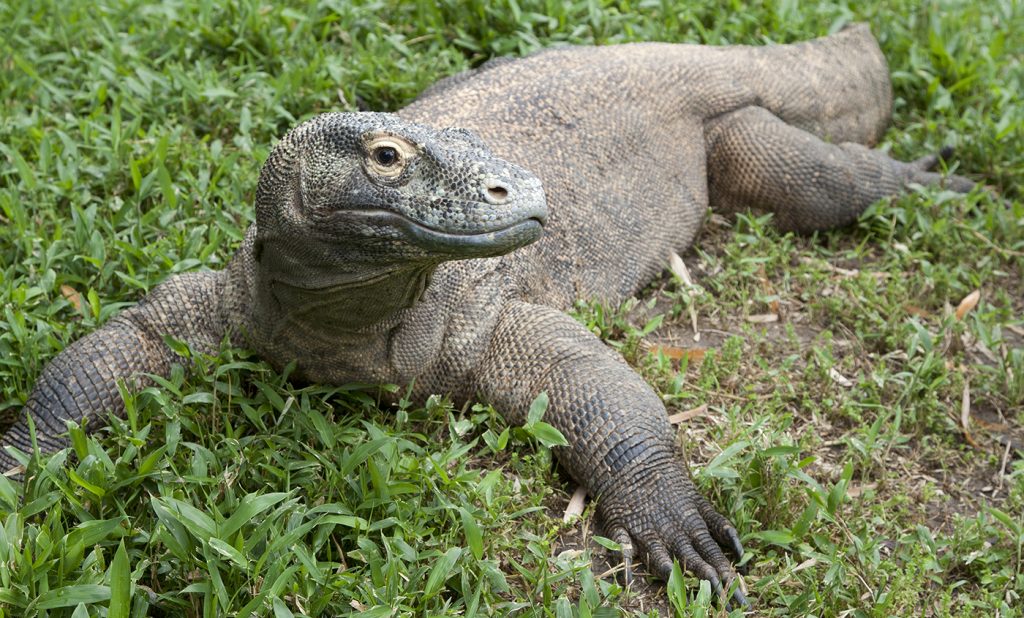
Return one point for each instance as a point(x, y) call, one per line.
point(390, 249)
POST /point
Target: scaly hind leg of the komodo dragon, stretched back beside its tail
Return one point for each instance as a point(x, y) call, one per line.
point(757, 160)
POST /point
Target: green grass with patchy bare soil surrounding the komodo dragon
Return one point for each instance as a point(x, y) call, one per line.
point(131, 141)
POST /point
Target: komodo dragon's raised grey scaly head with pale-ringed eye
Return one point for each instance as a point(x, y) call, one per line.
point(370, 193)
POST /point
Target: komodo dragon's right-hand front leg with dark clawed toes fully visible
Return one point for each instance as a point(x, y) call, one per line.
point(622, 449)
